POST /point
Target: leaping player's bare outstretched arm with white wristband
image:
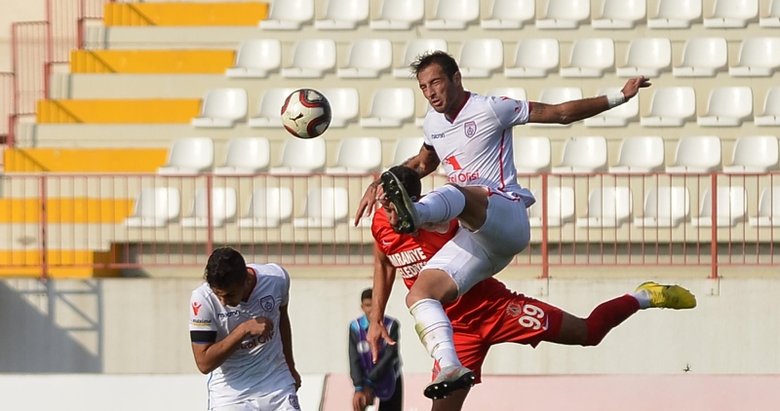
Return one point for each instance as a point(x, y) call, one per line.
point(576, 110)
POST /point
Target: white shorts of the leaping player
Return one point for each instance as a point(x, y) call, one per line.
point(472, 256)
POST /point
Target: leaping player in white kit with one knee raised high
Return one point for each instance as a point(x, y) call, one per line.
point(472, 136)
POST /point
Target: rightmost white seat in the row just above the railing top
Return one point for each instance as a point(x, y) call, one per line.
point(754, 154)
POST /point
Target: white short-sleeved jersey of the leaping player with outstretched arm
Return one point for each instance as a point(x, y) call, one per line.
point(476, 148)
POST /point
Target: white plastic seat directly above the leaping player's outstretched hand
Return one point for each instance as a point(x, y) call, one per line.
point(647, 57)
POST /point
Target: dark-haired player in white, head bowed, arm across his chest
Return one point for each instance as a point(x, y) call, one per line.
point(241, 335)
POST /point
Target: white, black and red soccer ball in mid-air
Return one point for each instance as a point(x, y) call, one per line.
point(306, 113)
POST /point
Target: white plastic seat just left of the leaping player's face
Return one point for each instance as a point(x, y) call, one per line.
point(390, 107)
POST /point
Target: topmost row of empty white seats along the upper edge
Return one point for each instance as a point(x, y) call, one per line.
point(514, 14)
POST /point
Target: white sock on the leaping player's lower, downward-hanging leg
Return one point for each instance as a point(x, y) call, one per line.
point(435, 331)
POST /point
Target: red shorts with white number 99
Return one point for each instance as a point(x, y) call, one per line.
point(512, 318)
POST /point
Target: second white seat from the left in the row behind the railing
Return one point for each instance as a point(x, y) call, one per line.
point(223, 207)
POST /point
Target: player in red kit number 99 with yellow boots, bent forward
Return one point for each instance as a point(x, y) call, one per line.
point(489, 313)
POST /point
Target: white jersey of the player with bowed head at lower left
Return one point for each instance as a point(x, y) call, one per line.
point(258, 366)
